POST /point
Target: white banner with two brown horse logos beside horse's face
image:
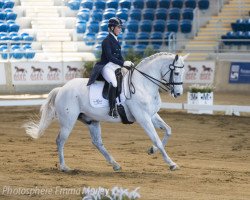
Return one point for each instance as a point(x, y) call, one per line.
point(199, 72)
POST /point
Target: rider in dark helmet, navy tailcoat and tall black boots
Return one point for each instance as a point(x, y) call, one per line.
point(111, 60)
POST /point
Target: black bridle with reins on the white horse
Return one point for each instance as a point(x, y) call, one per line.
point(166, 85)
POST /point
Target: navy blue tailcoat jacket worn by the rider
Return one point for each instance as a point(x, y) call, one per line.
point(111, 52)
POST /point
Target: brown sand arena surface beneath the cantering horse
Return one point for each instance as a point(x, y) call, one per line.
point(212, 151)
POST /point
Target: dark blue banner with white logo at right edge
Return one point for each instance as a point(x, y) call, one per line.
point(239, 73)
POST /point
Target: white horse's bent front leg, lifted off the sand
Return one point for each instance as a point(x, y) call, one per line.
point(159, 123)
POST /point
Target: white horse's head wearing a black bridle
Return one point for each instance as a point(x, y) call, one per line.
point(174, 75)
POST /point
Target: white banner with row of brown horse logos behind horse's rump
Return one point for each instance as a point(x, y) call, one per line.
point(33, 73)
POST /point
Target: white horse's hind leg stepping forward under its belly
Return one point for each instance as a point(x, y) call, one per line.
point(95, 133)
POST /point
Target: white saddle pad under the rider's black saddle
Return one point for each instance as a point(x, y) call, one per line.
point(95, 95)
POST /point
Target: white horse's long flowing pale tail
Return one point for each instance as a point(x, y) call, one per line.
point(35, 129)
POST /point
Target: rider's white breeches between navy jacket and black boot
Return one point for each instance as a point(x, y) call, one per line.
point(108, 73)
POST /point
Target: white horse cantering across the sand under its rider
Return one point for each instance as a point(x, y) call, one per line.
point(71, 103)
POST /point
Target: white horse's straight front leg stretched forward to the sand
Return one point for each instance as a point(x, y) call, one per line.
point(146, 122)
